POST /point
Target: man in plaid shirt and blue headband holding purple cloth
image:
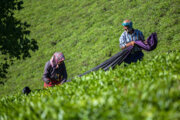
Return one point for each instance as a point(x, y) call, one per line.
point(128, 38)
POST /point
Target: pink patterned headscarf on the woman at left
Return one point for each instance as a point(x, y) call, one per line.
point(57, 57)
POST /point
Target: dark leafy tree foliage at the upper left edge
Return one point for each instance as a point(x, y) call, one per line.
point(14, 42)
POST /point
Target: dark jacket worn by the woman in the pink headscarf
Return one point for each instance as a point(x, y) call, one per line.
point(53, 74)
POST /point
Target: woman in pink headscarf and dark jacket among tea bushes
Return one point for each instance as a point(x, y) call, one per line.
point(55, 71)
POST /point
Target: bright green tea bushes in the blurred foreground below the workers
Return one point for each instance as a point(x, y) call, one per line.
point(148, 90)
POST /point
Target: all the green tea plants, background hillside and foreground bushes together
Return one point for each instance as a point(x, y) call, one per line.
point(87, 32)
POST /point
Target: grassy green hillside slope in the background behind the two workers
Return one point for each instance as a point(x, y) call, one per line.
point(87, 32)
